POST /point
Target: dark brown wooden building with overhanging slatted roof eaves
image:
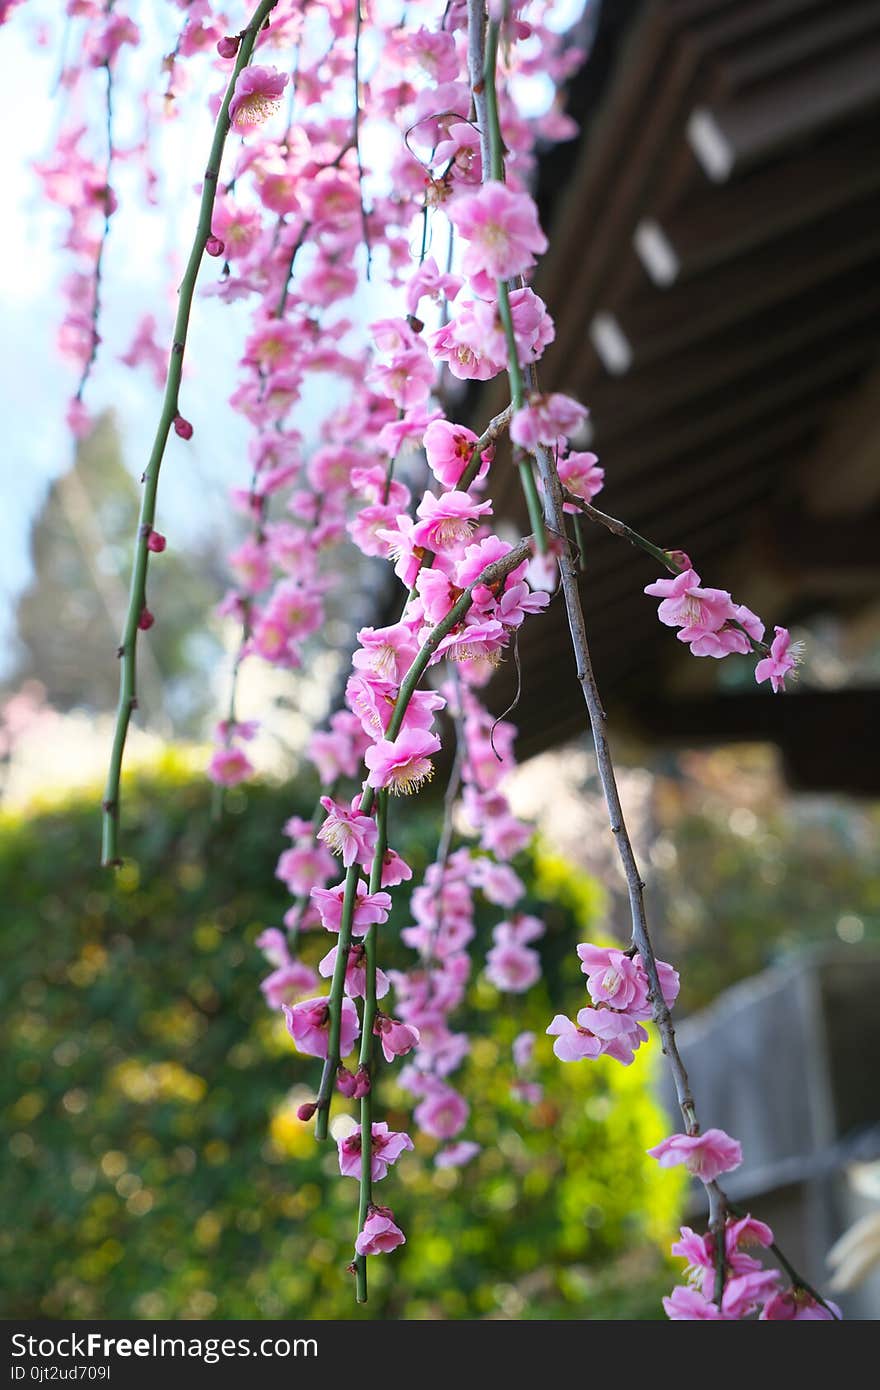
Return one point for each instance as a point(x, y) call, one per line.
point(715, 280)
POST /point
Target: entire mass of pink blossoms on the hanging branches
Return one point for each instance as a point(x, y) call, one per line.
point(293, 231)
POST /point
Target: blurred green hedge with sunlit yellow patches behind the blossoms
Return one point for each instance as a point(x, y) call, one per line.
point(156, 1166)
